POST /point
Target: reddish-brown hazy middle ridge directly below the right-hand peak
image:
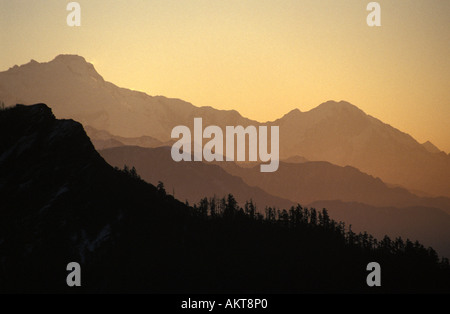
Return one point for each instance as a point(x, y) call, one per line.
point(307, 182)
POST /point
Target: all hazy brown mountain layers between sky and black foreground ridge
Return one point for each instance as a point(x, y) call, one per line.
point(334, 155)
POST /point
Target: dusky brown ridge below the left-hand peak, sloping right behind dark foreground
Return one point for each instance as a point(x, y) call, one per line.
point(189, 180)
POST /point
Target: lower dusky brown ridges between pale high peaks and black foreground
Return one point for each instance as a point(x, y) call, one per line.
point(349, 195)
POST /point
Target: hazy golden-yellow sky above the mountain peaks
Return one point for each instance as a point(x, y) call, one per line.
point(260, 57)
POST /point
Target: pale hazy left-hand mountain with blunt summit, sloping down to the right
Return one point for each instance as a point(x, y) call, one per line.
point(75, 90)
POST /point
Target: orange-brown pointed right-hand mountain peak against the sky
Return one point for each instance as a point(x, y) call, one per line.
point(342, 134)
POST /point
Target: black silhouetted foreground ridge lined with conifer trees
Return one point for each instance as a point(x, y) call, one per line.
point(61, 202)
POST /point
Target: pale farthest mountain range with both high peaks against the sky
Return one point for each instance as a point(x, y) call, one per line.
point(336, 132)
